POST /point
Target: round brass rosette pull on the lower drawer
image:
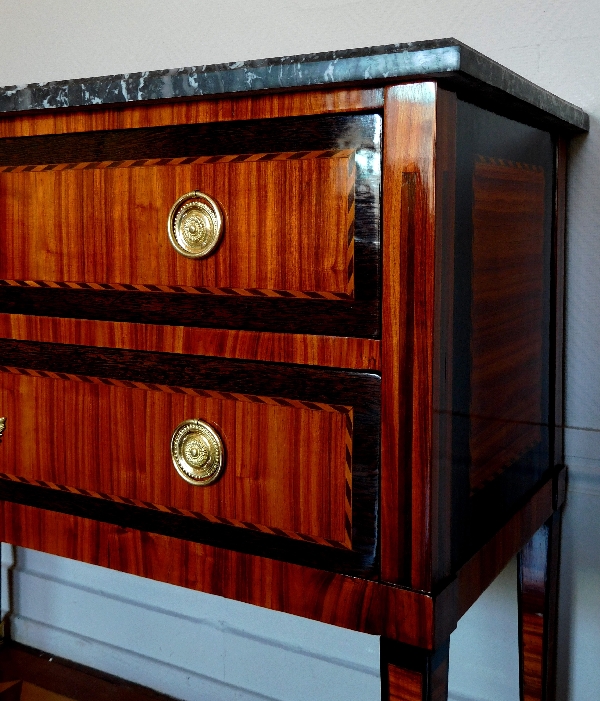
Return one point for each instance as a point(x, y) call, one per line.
point(197, 452)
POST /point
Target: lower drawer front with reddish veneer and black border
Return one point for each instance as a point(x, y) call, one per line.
point(91, 429)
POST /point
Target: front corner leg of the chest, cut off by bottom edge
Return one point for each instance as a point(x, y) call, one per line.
point(412, 674)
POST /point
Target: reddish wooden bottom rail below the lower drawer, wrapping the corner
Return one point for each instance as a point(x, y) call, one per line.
point(397, 613)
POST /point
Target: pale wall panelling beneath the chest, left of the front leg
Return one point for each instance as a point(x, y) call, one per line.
point(184, 643)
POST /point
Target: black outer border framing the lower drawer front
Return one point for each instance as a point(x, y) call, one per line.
point(361, 390)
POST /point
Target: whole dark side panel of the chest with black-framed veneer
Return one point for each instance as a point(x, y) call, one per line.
point(503, 363)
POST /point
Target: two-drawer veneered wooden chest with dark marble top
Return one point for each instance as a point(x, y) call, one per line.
point(349, 408)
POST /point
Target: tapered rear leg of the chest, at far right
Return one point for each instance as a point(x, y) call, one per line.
point(538, 599)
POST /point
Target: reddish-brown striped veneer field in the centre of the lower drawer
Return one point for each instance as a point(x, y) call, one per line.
point(285, 469)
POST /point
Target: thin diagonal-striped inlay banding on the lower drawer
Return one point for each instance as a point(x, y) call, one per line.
point(227, 396)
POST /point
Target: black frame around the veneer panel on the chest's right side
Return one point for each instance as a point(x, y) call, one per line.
point(475, 517)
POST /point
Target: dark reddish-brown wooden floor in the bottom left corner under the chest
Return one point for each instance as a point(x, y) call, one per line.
point(46, 677)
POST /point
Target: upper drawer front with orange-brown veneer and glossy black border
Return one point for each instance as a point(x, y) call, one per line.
point(84, 224)
